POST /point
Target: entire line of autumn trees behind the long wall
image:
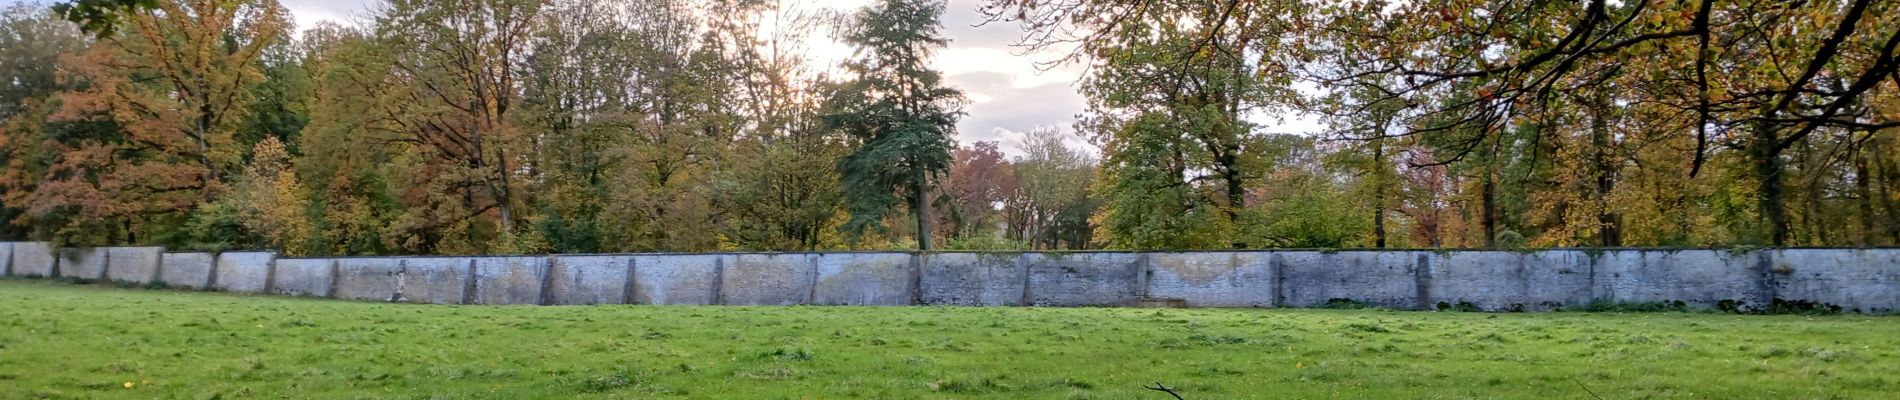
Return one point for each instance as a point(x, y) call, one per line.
point(569, 126)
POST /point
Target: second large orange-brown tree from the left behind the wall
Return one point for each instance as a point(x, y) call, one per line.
point(453, 84)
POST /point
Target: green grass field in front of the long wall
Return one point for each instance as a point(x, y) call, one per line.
point(94, 342)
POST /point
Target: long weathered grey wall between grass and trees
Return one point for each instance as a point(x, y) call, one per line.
point(1857, 280)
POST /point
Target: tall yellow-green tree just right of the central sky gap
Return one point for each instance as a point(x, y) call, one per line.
point(1171, 90)
